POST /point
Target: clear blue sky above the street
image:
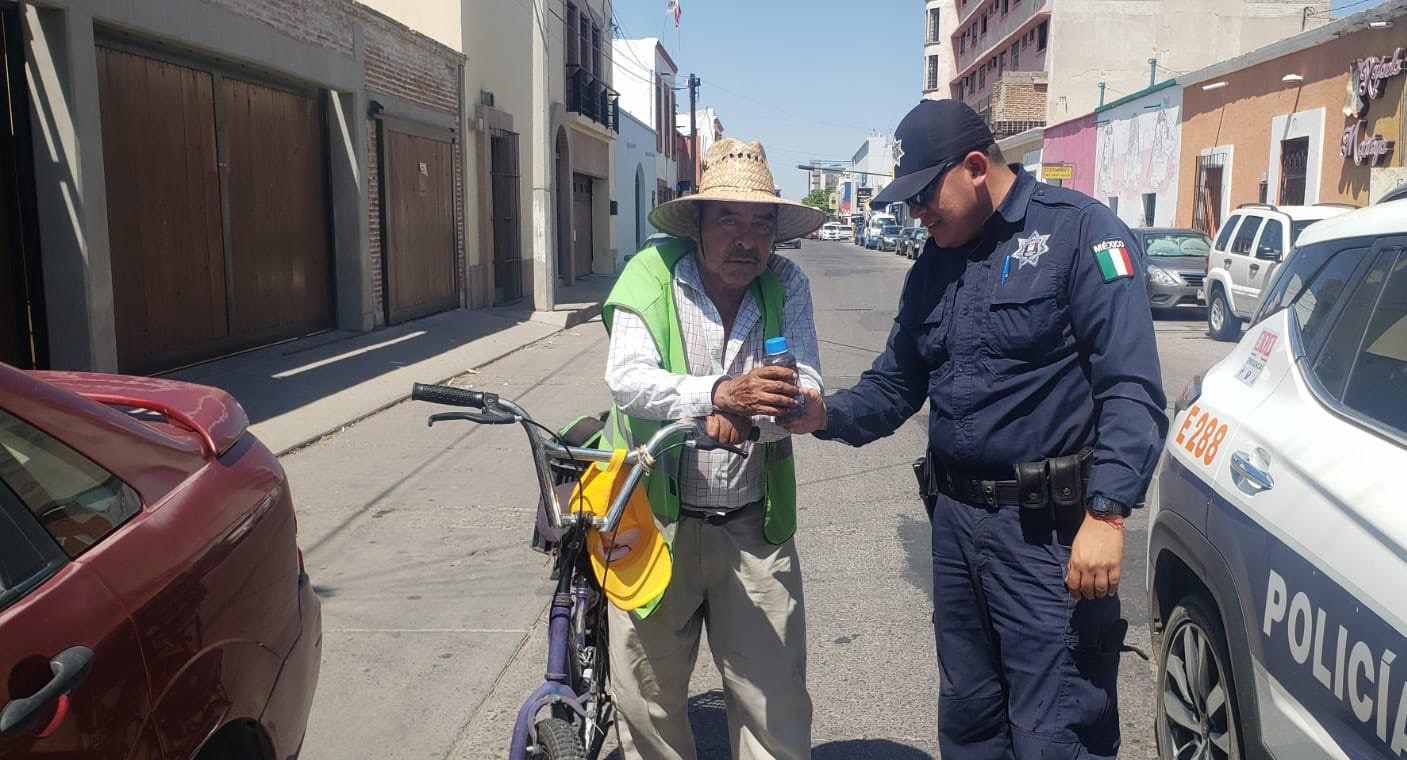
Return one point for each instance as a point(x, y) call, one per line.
point(810, 80)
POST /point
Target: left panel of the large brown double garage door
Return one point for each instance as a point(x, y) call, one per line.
point(163, 210)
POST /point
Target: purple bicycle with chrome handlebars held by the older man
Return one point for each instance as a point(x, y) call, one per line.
point(575, 692)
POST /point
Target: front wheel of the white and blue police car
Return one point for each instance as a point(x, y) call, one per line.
point(1197, 693)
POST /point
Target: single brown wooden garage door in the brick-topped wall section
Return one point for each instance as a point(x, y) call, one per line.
point(420, 220)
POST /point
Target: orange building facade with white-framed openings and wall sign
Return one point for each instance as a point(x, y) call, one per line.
point(1315, 119)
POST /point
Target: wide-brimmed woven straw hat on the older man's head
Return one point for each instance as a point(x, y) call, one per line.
point(737, 172)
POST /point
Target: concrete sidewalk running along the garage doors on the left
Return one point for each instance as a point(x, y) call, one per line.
point(305, 389)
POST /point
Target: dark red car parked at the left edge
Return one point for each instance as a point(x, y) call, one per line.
point(153, 595)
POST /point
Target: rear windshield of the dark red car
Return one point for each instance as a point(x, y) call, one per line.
point(75, 500)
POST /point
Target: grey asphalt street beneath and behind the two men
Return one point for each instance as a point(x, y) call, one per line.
point(434, 604)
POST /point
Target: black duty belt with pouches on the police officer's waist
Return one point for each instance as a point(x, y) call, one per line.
point(1057, 482)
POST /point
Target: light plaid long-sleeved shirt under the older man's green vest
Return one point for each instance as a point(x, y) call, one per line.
point(642, 388)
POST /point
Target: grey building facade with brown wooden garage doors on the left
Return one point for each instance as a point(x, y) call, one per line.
point(144, 151)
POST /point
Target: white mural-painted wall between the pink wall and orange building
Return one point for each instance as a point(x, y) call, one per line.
point(1138, 150)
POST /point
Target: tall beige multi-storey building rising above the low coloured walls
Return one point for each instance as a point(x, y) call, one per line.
point(1025, 64)
